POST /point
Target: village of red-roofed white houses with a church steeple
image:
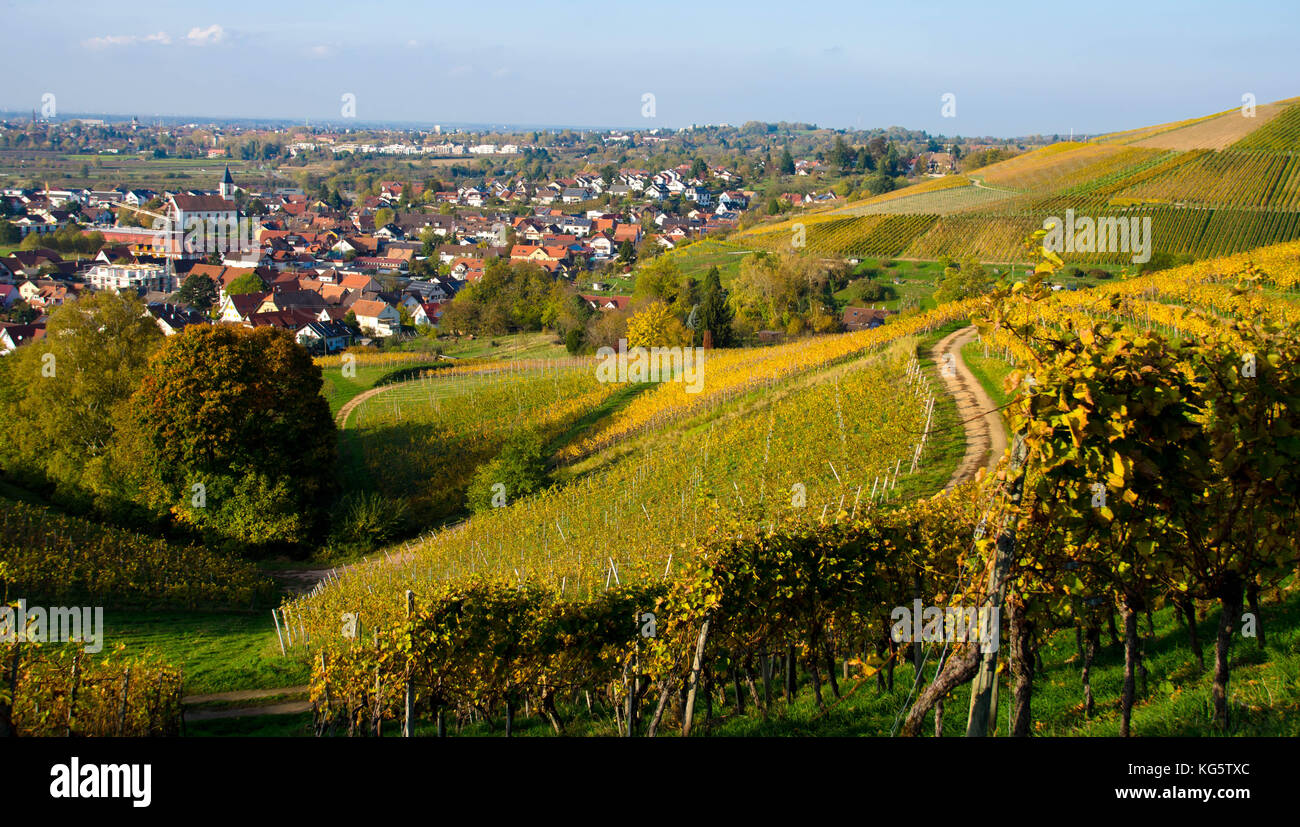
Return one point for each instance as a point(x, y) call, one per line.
point(341, 276)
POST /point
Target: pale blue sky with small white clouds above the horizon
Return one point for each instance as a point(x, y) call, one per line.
point(1012, 68)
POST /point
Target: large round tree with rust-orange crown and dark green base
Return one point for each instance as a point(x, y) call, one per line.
point(231, 436)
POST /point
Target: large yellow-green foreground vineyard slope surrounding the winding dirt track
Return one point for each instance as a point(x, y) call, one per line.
point(766, 535)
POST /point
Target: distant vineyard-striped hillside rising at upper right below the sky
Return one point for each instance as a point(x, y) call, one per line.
point(1211, 187)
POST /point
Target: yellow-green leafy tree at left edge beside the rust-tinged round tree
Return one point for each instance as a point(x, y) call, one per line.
point(63, 397)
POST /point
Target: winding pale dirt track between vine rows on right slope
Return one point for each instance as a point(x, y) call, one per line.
point(986, 439)
